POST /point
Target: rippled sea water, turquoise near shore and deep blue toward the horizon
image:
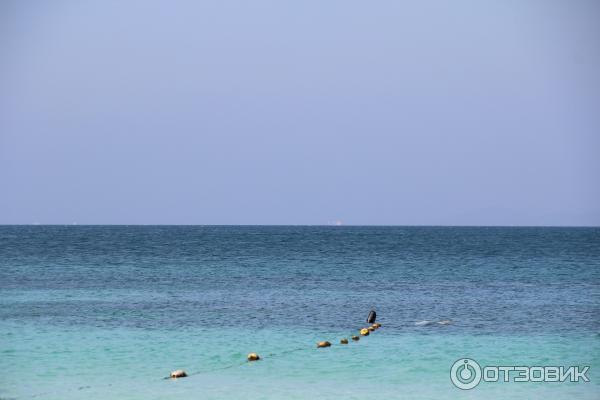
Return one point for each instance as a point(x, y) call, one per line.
point(106, 312)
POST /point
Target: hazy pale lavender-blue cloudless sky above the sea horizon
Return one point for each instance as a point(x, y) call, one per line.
point(304, 112)
